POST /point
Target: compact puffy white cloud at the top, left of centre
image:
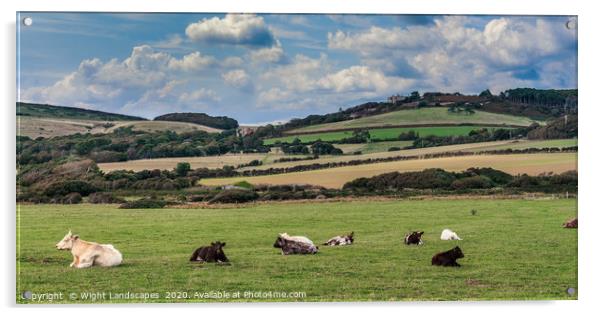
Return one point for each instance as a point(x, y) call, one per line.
point(234, 29)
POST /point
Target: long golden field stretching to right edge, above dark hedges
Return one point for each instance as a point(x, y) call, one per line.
point(532, 164)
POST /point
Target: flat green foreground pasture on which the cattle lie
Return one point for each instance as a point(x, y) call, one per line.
point(514, 250)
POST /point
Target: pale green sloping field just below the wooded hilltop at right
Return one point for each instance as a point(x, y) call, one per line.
point(438, 115)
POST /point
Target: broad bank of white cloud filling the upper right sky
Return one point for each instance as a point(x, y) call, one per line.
point(453, 53)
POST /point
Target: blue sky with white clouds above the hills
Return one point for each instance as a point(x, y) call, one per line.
point(269, 68)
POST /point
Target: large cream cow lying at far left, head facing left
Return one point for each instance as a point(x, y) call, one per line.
point(86, 254)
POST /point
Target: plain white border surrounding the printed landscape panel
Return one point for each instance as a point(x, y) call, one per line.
point(590, 115)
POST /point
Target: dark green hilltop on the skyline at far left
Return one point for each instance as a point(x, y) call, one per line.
point(65, 112)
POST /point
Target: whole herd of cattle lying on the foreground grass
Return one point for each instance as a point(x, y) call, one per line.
point(86, 254)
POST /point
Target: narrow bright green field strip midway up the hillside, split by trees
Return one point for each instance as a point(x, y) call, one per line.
point(380, 133)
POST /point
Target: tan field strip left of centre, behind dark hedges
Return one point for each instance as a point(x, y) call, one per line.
point(195, 162)
